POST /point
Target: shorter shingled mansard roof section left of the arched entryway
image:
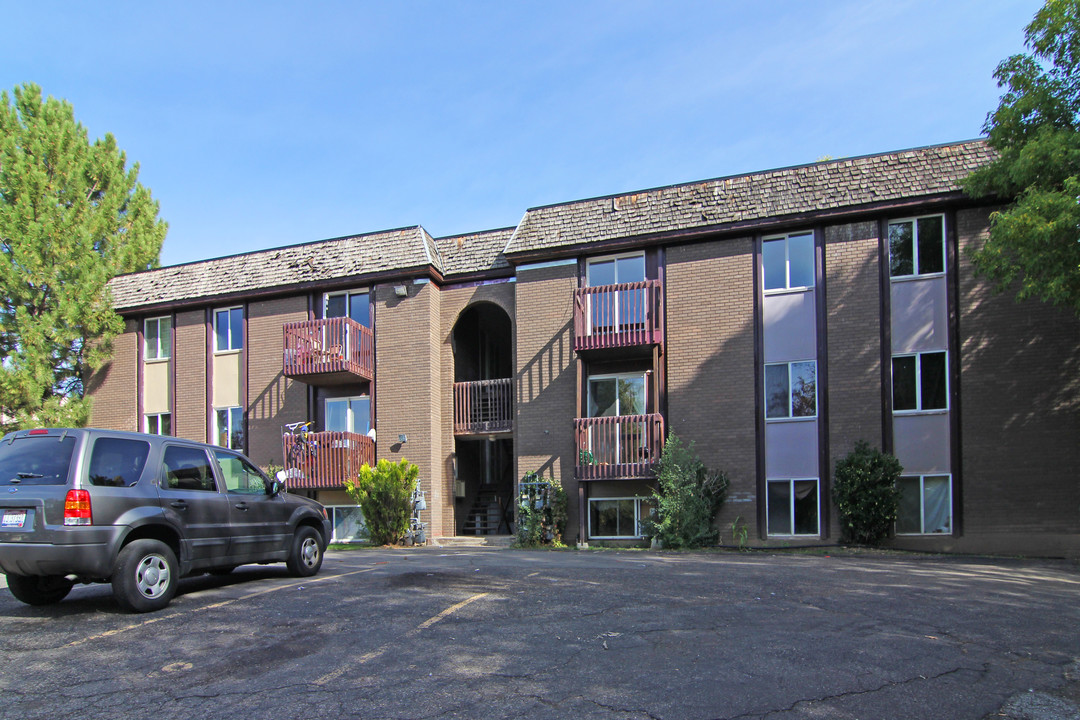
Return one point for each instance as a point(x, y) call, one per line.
point(309, 263)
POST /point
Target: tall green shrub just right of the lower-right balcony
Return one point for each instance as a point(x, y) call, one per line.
point(687, 496)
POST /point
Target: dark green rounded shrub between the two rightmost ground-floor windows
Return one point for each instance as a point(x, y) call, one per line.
point(865, 491)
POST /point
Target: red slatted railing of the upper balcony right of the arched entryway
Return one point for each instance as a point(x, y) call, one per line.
point(623, 316)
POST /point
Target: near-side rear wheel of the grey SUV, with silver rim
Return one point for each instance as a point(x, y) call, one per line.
point(145, 576)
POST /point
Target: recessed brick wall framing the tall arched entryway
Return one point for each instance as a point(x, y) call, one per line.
point(453, 303)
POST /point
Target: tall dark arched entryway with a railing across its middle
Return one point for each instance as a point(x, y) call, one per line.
point(483, 422)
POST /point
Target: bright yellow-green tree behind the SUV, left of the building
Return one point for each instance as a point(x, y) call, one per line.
point(72, 218)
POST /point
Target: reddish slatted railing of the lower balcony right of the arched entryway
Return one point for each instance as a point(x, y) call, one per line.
point(623, 447)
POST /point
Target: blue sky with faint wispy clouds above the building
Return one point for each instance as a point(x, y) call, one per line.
point(259, 125)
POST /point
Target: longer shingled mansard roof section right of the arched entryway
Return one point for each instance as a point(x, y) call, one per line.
point(777, 194)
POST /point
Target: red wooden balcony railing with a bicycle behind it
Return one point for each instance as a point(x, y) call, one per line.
point(336, 456)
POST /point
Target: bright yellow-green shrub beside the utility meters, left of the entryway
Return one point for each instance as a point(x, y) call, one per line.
point(385, 496)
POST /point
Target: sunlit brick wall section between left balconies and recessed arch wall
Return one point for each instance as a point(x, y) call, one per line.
point(408, 346)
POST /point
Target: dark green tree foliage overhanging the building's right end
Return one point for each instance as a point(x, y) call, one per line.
point(1036, 131)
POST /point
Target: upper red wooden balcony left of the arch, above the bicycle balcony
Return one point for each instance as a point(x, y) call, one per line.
point(334, 351)
